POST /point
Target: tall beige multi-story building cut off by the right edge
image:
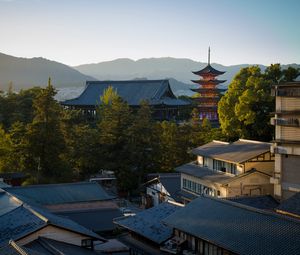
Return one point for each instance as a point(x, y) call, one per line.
point(286, 145)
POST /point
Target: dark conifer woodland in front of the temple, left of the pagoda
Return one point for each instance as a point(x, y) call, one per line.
point(51, 144)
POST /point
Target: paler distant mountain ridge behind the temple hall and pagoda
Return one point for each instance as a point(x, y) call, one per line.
point(153, 68)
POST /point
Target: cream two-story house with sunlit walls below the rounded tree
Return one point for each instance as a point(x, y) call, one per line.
point(242, 168)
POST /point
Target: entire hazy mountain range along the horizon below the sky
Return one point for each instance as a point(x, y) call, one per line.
point(29, 72)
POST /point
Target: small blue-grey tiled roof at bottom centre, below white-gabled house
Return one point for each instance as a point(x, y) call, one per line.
point(148, 223)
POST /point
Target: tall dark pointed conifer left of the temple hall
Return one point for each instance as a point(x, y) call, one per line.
point(45, 141)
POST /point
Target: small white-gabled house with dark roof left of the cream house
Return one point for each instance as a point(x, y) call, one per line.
point(161, 187)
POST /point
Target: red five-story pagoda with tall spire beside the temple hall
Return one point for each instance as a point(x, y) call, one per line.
point(208, 95)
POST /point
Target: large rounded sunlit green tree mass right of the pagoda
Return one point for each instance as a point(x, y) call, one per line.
point(246, 108)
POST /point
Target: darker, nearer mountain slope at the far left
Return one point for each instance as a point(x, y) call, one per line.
point(29, 72)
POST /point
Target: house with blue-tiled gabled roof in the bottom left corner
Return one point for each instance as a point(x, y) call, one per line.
point(28, 229)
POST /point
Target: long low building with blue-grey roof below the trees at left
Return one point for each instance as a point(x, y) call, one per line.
point(86, 203)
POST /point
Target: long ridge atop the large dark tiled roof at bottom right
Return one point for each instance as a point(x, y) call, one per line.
point(250, 208)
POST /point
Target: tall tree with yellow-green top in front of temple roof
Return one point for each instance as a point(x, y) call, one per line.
point(114, 120)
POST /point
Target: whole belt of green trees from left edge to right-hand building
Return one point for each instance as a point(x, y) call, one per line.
point(51, 144)
